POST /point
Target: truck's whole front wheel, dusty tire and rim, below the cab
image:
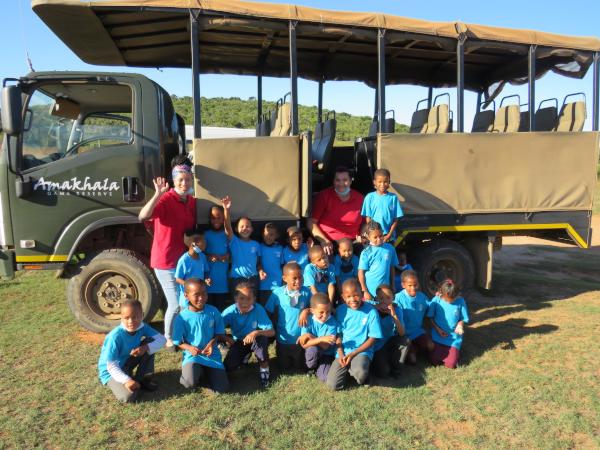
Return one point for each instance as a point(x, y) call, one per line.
point(106, 279)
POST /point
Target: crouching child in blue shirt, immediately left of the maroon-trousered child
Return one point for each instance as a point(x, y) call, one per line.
point(414, 305)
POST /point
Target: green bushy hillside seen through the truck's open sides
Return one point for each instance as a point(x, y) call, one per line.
point(237, 113)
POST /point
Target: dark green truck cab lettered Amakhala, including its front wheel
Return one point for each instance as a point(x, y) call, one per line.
point(76, 166)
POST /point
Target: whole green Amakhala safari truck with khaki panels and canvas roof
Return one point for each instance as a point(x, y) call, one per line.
point(81, 149)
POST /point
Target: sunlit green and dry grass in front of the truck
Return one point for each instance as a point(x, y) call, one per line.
point(529, 378)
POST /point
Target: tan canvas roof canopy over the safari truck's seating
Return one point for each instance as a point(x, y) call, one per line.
point(252, 39)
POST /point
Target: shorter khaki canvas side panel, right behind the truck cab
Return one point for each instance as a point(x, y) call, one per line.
point(260, 174)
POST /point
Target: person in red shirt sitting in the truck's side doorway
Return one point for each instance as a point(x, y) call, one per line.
point(336, 212)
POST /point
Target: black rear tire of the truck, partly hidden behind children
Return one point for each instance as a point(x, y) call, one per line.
point(444, 259)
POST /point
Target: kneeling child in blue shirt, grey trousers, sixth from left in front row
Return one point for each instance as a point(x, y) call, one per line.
point(359, 326)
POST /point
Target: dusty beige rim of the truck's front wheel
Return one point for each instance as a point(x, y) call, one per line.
point(106, 290)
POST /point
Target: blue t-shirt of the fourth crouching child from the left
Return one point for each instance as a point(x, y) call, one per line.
point(288, 311)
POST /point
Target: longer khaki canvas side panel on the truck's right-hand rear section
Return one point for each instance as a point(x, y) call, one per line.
point(484, 173)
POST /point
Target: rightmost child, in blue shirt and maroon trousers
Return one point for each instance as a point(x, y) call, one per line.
point(448, 313)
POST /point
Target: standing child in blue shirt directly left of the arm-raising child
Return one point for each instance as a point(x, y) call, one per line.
point(217, 253)
